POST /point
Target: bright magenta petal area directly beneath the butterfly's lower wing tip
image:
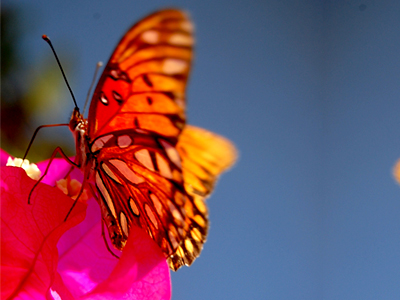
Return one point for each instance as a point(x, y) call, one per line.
point(86, 264)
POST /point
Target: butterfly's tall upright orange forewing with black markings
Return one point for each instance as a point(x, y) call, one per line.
point(143, 84)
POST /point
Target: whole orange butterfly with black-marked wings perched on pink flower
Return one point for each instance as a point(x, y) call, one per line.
point(148, 168)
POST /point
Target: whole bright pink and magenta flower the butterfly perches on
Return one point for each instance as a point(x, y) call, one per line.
point(44, 257)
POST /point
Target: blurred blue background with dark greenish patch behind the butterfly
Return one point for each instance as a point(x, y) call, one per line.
point(309, 93)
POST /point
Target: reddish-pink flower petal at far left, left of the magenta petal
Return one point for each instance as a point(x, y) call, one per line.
point(30, 233)
